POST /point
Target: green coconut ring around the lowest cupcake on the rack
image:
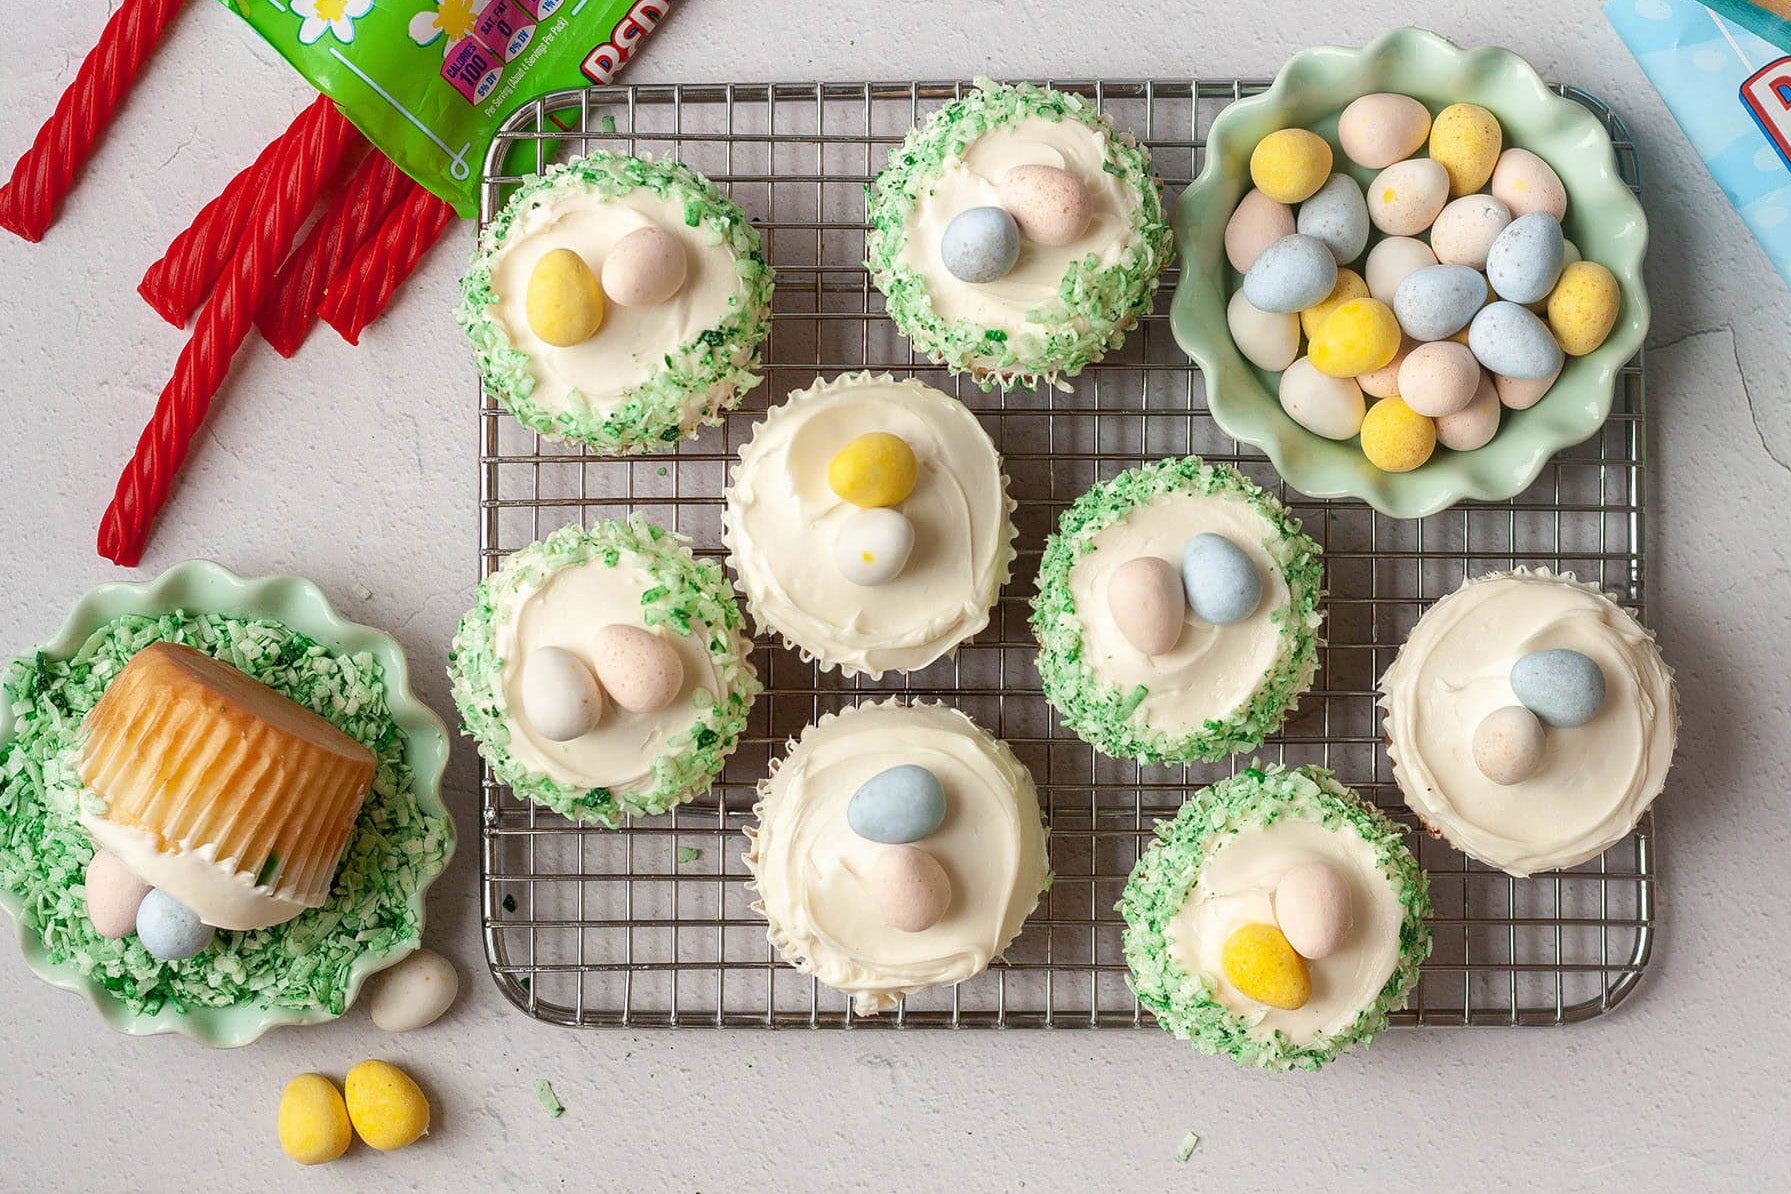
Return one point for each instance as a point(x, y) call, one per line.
point(1160, 885)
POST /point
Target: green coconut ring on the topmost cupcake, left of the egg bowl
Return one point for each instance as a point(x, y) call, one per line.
point(1093, 309)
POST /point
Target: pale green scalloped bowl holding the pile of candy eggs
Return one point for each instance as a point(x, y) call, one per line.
point(1604, 219)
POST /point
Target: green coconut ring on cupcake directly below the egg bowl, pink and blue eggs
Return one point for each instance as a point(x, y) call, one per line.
point(1110, 717)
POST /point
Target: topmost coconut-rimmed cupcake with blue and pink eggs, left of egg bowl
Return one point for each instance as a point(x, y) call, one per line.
point(1016, 235)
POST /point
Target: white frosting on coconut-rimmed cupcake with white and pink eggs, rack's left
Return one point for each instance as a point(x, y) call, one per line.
point(569, 610)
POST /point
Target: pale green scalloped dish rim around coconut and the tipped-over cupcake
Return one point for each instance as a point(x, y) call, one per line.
point(201, 586)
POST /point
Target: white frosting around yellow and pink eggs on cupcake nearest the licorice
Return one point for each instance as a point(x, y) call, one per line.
point(633, 343)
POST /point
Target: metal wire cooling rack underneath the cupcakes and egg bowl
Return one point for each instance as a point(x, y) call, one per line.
point(651, 925)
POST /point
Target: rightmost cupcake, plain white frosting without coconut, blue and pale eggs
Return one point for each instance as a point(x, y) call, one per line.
point(1530, 721)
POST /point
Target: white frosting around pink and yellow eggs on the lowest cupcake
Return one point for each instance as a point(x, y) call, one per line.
point(1237, 887)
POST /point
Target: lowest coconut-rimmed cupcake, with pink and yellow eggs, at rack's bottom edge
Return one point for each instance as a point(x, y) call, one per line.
point(1278, 919)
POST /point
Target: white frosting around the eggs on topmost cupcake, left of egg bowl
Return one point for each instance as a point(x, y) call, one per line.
point(973, 180)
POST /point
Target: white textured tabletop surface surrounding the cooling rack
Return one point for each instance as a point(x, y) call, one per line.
point(354, 468)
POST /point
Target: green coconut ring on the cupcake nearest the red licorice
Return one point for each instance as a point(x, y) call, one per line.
point(698, 382)
